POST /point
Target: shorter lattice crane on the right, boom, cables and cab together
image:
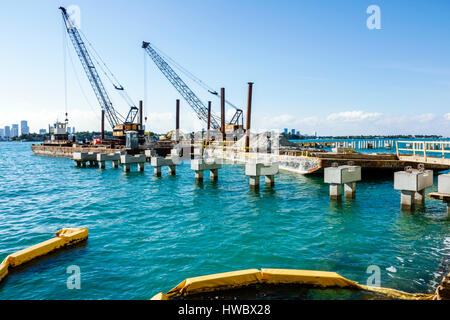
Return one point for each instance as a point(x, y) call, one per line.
point(200, 109)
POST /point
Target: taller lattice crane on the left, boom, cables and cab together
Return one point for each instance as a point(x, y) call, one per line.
point(119, 124)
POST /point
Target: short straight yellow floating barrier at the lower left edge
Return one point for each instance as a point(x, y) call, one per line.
point(64, 238)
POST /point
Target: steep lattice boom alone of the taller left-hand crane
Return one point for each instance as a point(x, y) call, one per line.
point(91, 72)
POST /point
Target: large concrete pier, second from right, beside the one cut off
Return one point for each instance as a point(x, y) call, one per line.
point(412, 184)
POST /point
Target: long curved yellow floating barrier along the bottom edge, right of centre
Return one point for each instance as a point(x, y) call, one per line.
point(244, 278)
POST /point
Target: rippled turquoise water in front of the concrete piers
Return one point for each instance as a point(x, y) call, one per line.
point(147, 234)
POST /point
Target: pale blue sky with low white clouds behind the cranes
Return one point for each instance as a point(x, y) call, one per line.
point(315, 64)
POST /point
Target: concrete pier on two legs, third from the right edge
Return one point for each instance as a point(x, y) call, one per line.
point(342, 175)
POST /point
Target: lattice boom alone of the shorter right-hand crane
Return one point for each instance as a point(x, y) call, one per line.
point(182, 88)
